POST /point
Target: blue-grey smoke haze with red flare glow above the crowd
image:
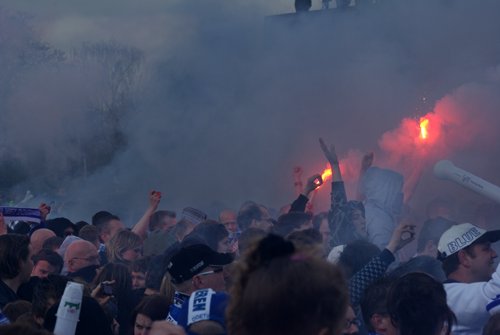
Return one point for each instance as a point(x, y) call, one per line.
point(213, 103)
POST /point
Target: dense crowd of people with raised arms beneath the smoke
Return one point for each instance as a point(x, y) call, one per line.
point(345, 271)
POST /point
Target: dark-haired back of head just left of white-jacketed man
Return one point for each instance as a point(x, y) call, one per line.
point(417, 305)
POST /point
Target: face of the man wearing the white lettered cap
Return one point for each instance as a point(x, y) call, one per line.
point(481, 261)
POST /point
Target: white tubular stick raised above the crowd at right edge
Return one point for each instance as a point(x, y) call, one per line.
point(447, 170)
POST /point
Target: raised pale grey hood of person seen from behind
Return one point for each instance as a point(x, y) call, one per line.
point(384, 188)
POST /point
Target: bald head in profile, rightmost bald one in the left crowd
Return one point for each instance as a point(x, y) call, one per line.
point(80, 254)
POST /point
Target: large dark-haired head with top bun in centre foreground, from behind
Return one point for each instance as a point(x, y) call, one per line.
point(277, 291)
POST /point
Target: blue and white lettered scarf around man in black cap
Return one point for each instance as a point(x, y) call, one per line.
point(204, 305)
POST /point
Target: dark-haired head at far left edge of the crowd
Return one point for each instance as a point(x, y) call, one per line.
point(13, 249)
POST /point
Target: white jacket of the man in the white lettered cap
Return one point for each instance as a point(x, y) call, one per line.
point(468, 302)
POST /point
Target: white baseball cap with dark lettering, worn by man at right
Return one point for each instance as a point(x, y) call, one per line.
point(463, 235)
